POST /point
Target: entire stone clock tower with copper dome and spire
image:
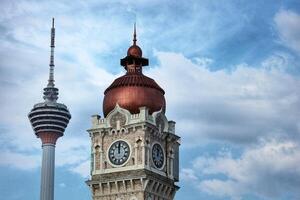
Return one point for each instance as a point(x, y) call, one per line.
point(134, 148)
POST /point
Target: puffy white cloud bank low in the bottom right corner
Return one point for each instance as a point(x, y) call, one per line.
point(268, 170)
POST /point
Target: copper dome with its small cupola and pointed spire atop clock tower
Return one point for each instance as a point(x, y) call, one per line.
point(134, 90)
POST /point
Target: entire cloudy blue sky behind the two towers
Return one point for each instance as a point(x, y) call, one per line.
point(230, 69)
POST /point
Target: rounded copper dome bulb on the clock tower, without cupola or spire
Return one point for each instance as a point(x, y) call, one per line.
point(133, 91)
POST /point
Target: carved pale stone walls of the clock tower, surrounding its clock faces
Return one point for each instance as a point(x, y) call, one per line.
point(138, 177)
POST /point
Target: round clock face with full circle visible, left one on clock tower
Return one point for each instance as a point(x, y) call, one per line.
point(118, 152)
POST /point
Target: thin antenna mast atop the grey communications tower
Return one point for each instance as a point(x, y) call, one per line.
point(50, 92)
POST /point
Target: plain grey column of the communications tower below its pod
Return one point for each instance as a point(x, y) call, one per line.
point(47, 172)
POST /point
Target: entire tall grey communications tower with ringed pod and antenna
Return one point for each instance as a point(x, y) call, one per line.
point(49, 120)
